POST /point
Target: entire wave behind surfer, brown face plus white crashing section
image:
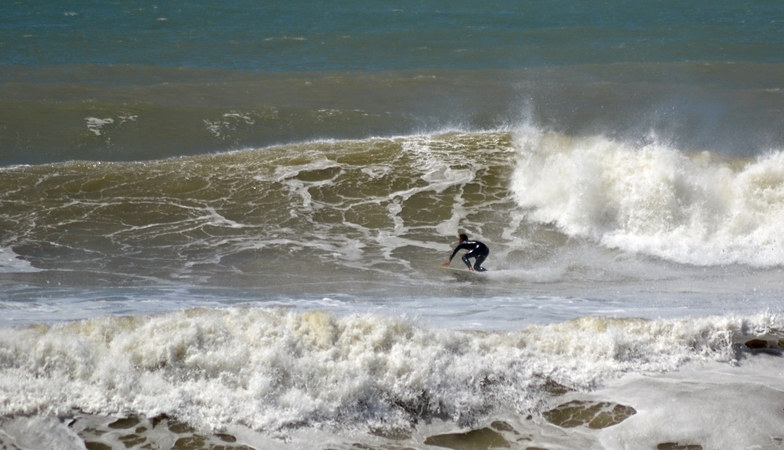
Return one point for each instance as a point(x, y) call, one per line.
point(389, 209)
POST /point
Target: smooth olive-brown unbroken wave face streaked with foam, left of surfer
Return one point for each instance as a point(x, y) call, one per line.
point(362, 205)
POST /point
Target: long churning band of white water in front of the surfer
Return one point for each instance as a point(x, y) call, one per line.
point(272, 369)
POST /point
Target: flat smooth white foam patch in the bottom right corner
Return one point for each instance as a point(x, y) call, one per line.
point(714, 405)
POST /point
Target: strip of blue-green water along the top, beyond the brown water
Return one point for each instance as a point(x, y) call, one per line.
point(375, 35)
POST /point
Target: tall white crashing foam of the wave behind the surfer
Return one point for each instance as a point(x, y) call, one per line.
point(696, 209)
